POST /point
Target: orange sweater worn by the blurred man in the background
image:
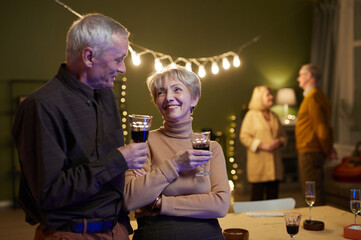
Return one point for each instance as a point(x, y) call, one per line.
point(313, 127)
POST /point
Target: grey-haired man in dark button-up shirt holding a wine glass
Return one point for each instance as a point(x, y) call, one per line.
point(70, 140)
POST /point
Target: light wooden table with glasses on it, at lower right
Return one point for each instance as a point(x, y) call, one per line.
point(274, 228)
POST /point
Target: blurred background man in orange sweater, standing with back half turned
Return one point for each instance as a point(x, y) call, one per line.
point(314, 140)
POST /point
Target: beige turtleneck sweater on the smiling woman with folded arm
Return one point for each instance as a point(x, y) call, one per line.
point(182, 194)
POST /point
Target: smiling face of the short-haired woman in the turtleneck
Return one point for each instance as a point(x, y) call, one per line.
point(174, 100)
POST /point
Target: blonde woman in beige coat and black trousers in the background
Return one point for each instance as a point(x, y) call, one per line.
point(263, 136)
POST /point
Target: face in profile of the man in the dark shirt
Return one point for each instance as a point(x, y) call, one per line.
point(106, 67)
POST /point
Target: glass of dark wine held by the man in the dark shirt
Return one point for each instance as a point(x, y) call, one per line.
point(139, 127)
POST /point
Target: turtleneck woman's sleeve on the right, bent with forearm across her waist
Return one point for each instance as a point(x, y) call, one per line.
point(213, 204)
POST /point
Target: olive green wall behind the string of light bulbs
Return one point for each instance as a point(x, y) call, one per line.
point(33, 43)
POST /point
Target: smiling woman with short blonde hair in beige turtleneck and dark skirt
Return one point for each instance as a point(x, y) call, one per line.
point(171, 201)
